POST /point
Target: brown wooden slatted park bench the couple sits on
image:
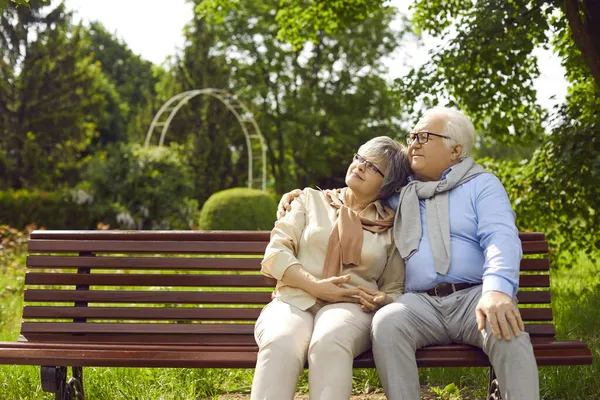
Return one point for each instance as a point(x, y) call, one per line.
point(190, 299)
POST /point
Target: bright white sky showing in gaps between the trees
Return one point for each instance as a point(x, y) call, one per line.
point(154, 30)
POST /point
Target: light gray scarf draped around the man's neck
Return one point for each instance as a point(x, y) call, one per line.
point(407, 224)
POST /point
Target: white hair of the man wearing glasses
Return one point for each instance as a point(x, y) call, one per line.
point(458, 127)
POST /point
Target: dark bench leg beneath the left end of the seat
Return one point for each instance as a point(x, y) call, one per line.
point(54, 380)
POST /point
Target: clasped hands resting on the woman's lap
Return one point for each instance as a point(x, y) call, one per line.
point(333, 291)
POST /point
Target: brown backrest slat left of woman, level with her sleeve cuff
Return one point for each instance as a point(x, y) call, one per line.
point(167, 280)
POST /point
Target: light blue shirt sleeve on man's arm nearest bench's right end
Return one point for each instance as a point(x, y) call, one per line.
point(498, 237)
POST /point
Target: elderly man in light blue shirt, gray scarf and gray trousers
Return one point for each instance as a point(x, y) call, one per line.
point(456, 231)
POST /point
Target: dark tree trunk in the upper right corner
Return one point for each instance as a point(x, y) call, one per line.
point(584, 21)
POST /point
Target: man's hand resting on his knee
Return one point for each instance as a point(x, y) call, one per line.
point(499, 309)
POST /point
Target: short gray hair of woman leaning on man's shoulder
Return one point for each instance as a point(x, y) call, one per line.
point(386, 149)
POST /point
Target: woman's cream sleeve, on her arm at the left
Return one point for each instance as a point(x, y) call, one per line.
point(282, 249)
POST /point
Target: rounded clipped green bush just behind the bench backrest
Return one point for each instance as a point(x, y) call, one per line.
point(238, 209)
